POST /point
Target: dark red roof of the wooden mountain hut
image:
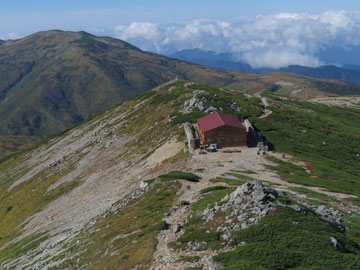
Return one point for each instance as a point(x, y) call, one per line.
point(216, 120)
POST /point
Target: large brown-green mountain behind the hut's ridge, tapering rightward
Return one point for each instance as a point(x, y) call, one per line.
point(53, 80)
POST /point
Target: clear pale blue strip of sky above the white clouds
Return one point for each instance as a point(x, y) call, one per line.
point(25, 16)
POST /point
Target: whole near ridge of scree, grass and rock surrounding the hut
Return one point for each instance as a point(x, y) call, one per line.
point(119, 191)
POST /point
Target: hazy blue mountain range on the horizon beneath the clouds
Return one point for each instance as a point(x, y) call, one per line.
point(226, 61)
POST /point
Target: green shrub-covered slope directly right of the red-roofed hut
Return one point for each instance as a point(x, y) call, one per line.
point(325, 137)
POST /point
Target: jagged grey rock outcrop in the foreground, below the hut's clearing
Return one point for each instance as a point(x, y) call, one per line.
point(249, 203)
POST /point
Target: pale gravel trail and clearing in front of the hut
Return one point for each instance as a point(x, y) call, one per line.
point(214, 165)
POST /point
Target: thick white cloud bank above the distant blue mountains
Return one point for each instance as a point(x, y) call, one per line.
point(262, 41)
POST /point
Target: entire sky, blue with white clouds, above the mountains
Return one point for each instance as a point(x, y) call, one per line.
point(262, 32)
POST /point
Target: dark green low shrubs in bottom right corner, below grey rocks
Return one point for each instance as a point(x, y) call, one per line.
point(289, 239)
